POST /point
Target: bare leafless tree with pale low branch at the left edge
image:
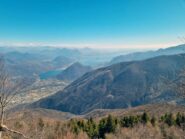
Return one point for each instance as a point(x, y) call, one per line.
point(8, 91)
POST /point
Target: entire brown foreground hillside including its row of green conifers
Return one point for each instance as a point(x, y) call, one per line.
point(50, 124)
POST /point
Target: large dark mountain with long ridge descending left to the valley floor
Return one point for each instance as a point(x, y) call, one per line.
point(122, 85)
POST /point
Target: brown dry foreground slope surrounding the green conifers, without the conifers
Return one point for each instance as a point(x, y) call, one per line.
point(50, 124)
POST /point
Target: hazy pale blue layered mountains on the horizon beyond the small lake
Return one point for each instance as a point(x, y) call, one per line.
point(26, 61)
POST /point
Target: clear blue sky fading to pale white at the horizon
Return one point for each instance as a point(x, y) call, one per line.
point(93, 23)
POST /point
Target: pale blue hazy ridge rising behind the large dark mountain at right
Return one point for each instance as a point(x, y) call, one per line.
point(149, 54)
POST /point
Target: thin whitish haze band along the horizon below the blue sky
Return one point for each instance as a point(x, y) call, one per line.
point(92, 46)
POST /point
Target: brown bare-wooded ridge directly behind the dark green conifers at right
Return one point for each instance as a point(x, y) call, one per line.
point(152, 109)
